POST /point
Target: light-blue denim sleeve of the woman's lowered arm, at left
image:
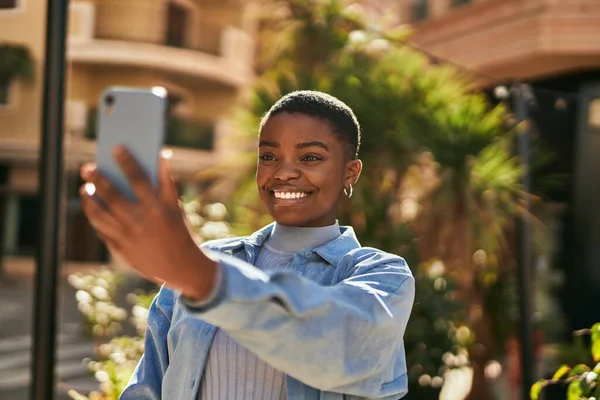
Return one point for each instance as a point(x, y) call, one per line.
point(146, 381)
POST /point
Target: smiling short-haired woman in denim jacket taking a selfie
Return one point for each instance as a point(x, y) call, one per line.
point(298, 310)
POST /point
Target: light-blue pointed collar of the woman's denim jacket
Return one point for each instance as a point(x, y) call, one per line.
point(332, 252)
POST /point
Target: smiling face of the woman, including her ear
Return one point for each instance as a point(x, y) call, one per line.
point(302, 170)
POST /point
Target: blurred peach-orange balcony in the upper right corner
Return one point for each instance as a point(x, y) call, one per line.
point(515, 39)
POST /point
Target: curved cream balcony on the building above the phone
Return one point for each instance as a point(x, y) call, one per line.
point(107, 32)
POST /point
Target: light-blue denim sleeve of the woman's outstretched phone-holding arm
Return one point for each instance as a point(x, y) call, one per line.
point(346, 338)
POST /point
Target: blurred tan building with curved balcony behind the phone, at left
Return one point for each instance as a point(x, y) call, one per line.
point(200, 50)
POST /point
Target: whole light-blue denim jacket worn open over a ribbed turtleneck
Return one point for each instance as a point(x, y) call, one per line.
point(333, 322)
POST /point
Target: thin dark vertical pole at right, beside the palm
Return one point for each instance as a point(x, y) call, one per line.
point(523, 100)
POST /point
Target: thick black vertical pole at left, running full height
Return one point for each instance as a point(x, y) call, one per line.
point(50, 181)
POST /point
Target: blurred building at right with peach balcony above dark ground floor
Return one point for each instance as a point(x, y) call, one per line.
point(554, 45)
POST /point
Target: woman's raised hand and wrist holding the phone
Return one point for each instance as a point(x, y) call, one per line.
point(151, 235)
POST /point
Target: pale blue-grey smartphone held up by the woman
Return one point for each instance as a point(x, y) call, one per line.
point(136, 119)
